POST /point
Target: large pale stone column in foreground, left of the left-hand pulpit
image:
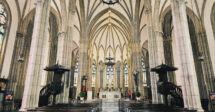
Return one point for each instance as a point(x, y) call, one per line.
point(36, 57)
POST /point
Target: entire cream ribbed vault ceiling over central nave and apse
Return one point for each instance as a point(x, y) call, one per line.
point(109, 26)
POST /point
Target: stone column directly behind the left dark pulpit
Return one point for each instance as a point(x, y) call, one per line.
point(64, 53)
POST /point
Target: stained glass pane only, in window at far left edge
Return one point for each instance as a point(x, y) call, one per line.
point(3, 22)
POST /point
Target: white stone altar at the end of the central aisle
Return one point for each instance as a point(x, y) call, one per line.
point(112, 96)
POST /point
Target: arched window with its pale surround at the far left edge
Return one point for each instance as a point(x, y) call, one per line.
point(3, 29)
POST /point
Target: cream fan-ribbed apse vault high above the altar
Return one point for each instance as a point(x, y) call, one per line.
point(109, 32)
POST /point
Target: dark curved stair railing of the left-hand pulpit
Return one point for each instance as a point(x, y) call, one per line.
point(53, 88)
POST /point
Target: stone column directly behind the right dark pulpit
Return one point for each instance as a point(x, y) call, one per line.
point(155, 49)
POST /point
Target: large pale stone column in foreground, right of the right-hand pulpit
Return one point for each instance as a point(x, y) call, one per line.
point(186, 67)
